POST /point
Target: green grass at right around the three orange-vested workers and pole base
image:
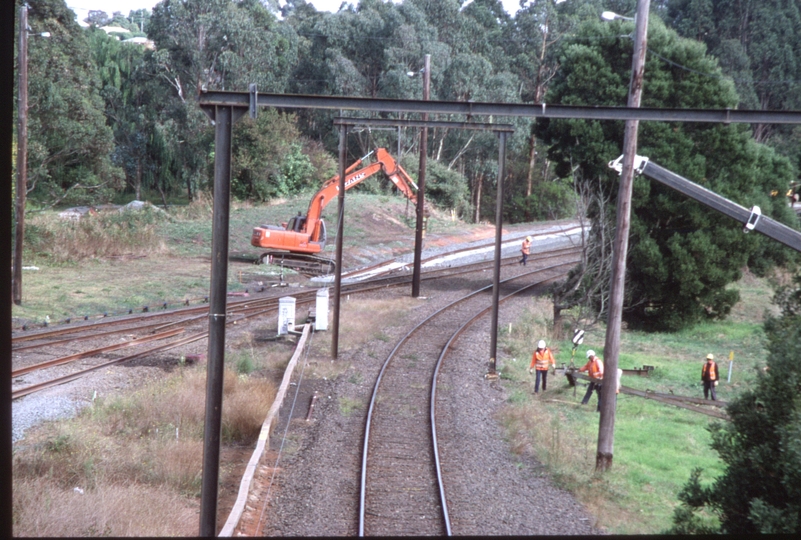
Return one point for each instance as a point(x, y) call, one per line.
point(656, 446)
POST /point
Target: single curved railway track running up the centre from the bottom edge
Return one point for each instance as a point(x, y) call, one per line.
point(402, 488)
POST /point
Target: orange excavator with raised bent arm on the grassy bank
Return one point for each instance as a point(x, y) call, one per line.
point(297, 243)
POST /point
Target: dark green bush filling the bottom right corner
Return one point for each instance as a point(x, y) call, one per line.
point(761, 446)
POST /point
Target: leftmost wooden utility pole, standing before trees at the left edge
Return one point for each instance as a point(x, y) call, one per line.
point(22, 154)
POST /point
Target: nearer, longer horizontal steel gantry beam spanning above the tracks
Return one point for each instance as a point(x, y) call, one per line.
point(248, 100)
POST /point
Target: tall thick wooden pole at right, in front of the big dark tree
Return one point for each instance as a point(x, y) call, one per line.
point(606, 428)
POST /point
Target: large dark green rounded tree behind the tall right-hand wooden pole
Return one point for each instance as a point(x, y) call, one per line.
point(682, 256)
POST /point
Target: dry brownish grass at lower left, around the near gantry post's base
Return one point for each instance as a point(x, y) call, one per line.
point(138, 459)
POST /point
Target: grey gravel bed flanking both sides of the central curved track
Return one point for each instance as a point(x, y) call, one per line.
point(491, 490)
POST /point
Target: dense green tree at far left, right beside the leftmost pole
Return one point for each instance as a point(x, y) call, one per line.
point(69, 143)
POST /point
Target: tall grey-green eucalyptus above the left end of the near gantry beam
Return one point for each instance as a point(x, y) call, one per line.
point(211, 45)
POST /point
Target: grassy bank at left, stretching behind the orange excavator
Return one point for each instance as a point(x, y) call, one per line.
point(111, 263)
